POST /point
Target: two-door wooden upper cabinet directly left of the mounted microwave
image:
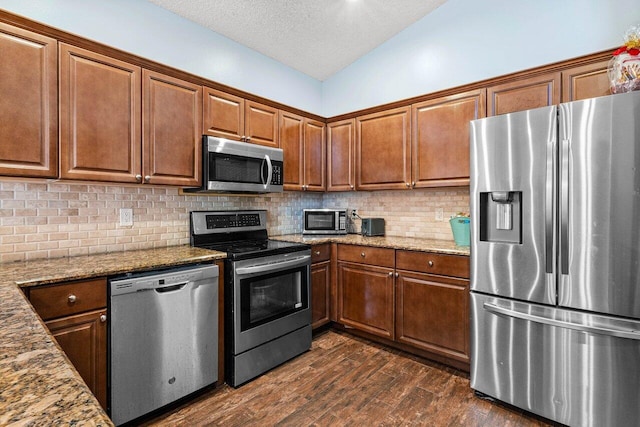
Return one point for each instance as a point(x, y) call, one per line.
point(119, 123)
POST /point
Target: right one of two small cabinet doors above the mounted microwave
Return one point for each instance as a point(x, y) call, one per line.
point(261, 124)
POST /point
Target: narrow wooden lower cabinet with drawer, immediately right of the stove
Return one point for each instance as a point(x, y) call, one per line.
point(320, 284)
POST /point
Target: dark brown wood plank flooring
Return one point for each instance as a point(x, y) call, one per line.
point(348, 381)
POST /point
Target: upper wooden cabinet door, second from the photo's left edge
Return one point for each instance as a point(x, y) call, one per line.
point(100, 117)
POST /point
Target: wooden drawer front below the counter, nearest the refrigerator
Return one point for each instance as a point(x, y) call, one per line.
point(427, 262)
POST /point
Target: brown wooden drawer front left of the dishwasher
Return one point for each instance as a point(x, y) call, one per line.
point(64, 299)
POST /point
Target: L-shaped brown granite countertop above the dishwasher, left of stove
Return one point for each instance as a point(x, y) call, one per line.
point(38, 384)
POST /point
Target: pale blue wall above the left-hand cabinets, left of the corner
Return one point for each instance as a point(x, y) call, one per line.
point(141, 28)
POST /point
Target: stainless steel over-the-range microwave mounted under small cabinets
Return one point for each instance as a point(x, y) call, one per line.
point(240, 167)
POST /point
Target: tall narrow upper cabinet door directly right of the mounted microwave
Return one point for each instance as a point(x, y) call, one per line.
point(291, 142)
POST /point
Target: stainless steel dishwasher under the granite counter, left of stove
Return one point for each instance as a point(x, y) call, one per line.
point(163, 338)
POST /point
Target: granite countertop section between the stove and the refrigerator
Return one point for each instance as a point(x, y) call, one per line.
point(392, 242)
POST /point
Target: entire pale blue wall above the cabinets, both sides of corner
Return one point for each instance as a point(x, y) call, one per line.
point(461, 42)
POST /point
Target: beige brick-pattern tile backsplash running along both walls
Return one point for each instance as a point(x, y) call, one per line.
point(51, 219)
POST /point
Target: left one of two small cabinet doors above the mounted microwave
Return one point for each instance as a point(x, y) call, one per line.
point(223, 115)
